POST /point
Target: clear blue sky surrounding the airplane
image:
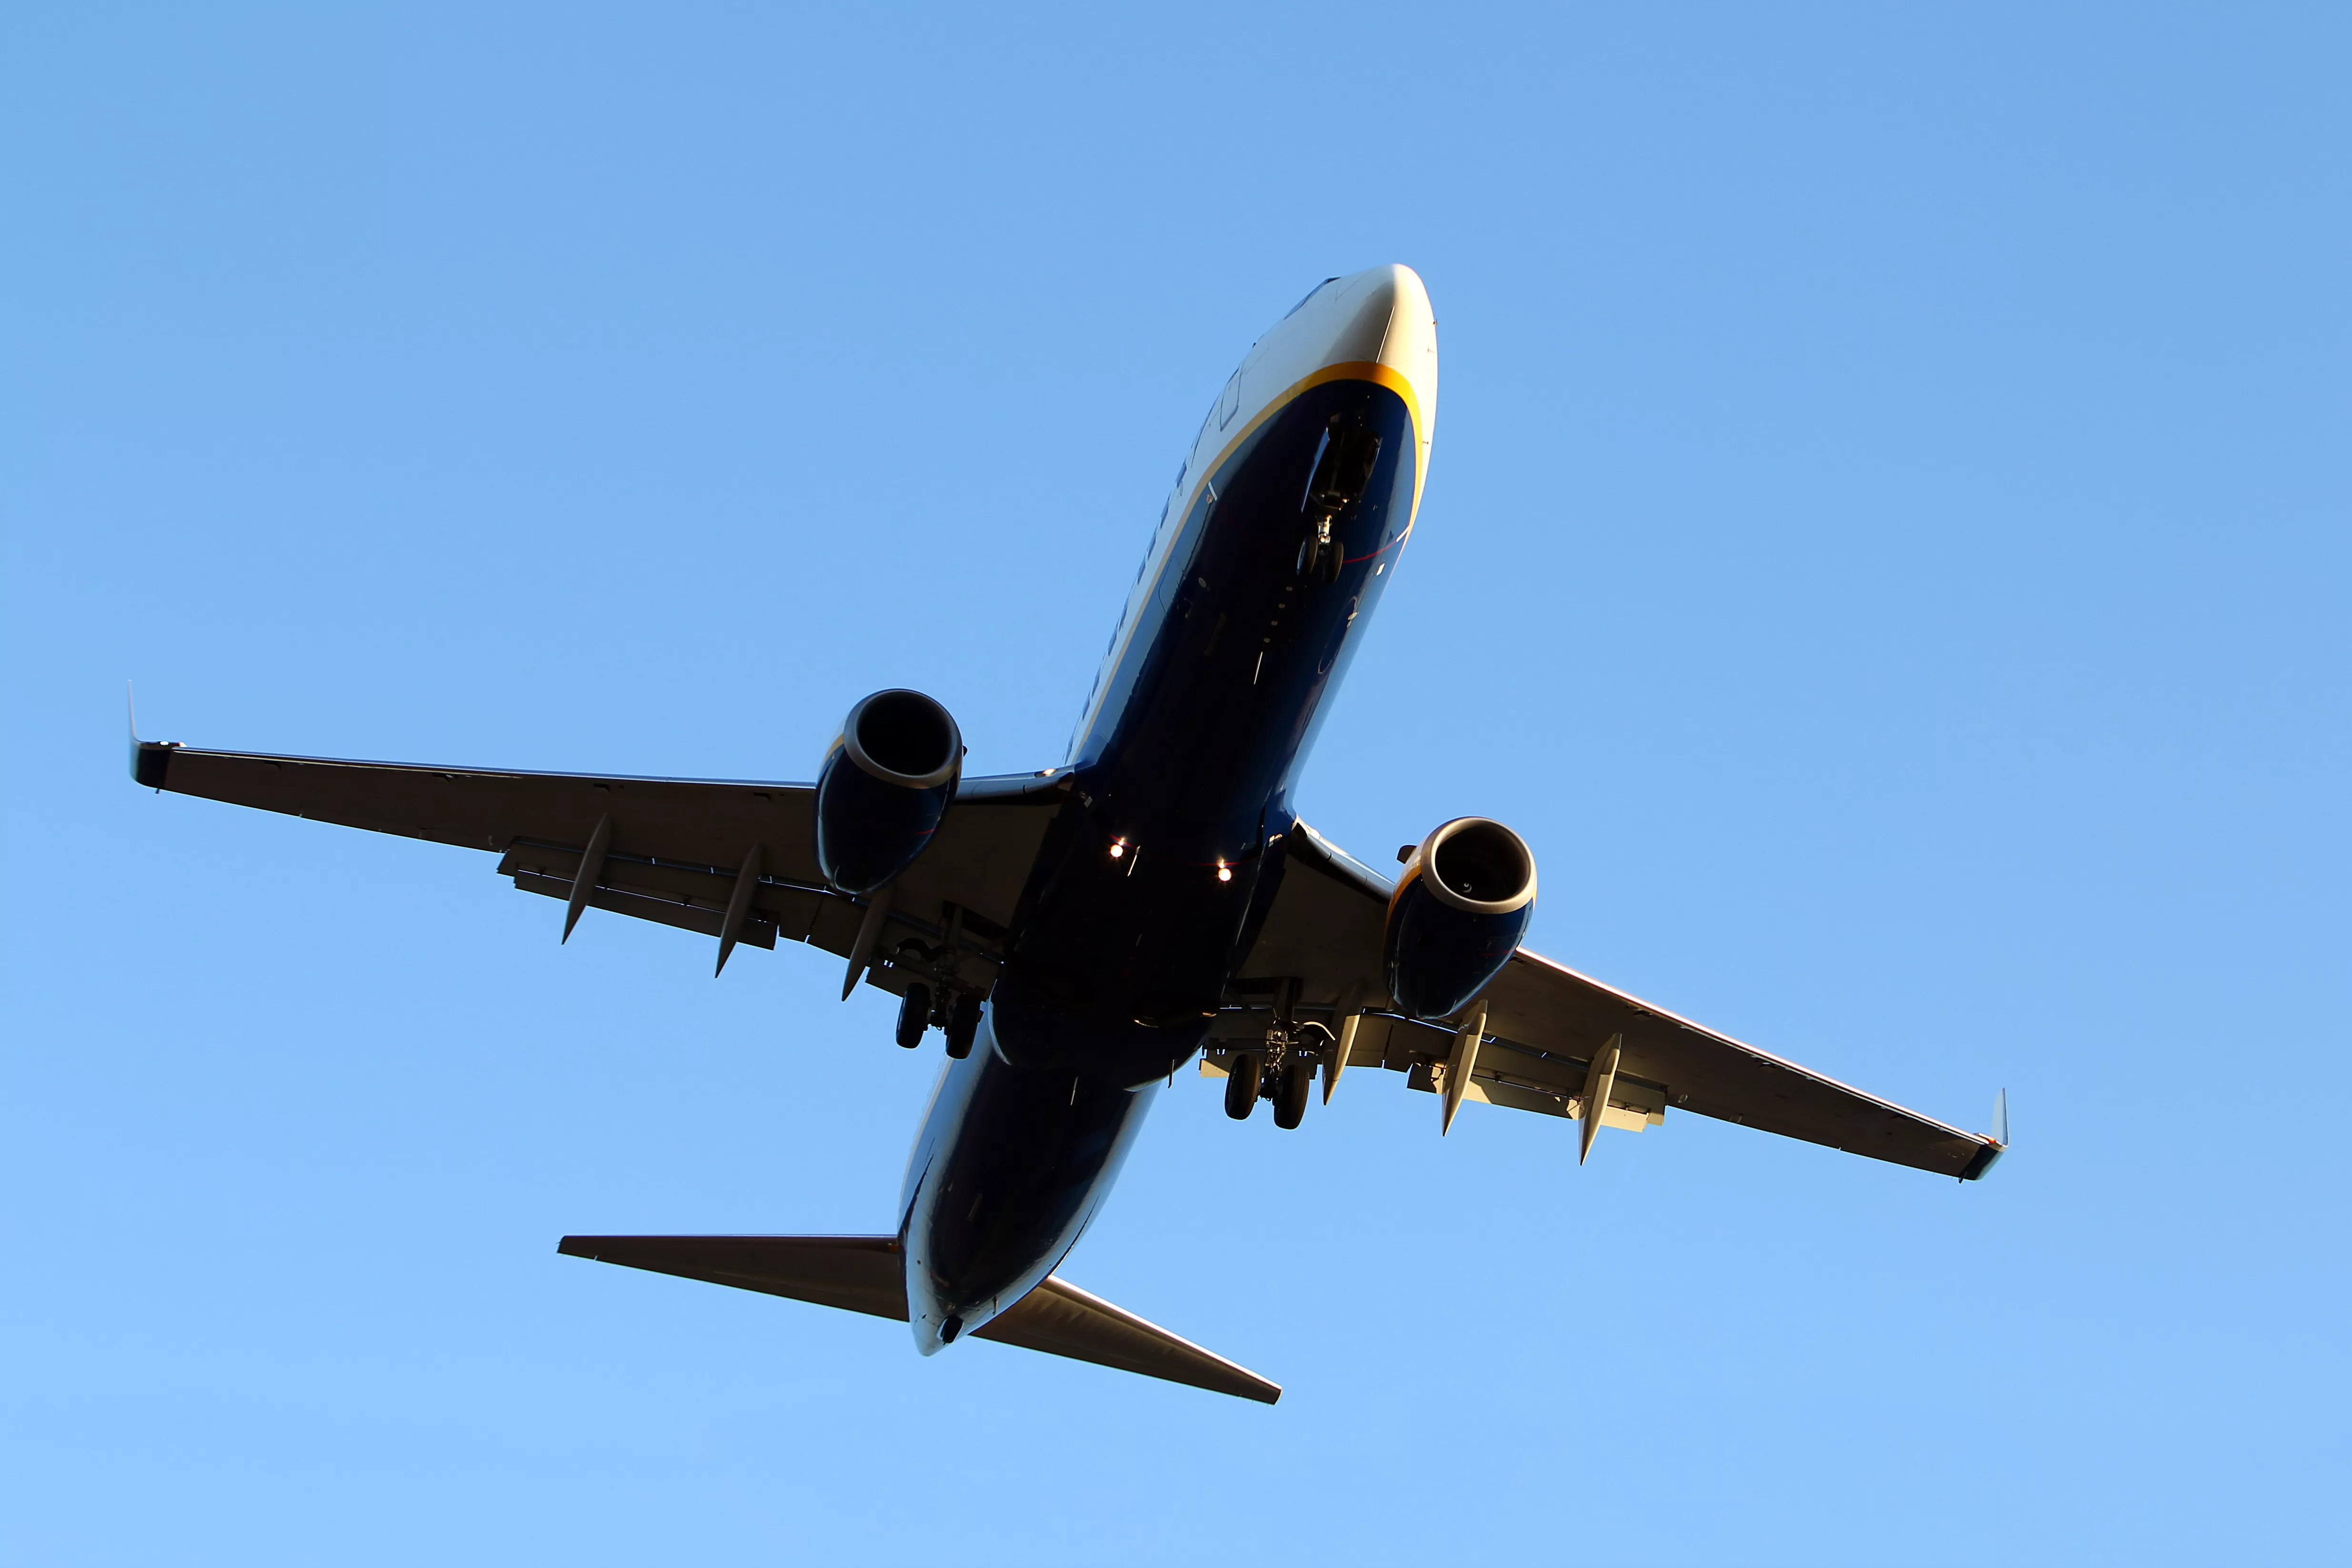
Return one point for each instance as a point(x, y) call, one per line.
point(1887, 551)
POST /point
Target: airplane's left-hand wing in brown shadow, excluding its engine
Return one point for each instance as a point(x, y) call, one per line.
point(676, 850)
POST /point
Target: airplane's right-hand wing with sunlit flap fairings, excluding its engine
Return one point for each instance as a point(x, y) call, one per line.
point(1553, 1036)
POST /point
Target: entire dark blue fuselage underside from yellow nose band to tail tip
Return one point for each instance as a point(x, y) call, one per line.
point(1116, 963)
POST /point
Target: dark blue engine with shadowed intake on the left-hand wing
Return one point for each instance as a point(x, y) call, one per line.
point(883, 789)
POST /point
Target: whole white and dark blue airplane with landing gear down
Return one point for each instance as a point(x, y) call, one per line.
point(1085, 932)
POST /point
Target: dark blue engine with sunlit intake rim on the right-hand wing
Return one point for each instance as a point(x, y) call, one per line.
point(1459, 913)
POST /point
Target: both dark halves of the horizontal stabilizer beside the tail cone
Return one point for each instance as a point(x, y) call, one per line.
point(869, 1275)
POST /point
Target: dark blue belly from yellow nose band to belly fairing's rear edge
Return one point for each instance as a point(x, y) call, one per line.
point(1137, 906)
